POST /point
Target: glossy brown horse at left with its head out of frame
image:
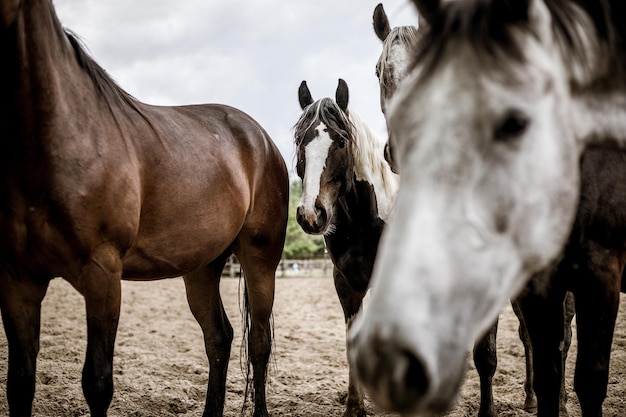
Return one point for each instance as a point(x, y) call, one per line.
point(96, 187)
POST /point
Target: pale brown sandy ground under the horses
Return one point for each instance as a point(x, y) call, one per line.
point(161, 369)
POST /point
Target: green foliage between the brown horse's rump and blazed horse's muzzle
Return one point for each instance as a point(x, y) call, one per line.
point(299, 245)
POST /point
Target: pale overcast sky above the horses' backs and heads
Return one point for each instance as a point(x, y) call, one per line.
point(250, 54)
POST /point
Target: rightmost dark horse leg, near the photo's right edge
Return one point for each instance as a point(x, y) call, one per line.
point(597, 302)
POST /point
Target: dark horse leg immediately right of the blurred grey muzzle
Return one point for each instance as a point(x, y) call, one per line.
point(486, 362)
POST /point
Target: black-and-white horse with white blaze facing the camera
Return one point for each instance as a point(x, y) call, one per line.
point(348, 192)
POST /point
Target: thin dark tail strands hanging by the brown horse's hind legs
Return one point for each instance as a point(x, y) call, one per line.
point(244, 357)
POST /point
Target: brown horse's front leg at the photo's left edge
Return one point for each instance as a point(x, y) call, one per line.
point(20, 301)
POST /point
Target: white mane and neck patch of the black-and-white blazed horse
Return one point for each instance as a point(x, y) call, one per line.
point(370, 166)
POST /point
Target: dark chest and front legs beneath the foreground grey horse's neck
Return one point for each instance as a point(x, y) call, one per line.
point(592, 268)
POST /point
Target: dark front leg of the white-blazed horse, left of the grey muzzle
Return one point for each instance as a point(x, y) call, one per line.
point(351, 300)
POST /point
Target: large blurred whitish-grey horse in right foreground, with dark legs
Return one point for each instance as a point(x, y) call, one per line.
point(488, 134)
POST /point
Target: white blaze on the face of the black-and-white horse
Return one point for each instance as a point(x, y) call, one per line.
point(316, 153)
